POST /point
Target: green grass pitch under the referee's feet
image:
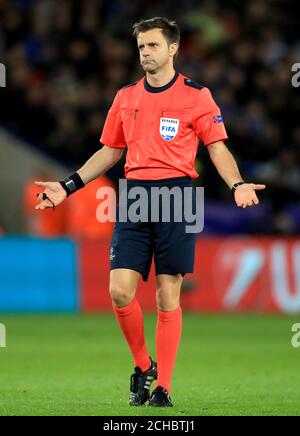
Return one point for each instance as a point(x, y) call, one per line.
point(80, 365)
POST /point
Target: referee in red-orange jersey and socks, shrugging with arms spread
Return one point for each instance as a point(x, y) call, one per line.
point(160, 120)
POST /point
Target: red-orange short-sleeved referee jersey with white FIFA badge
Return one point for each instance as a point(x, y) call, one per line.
point(161, 127)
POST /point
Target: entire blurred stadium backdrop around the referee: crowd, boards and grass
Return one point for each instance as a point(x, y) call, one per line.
point(64, 62)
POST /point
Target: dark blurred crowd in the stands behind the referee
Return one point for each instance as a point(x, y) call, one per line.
point(67, 58)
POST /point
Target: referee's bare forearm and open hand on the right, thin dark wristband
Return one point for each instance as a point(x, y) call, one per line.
point(226, 166)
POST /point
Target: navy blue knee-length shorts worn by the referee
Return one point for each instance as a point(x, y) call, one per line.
point(134, 244)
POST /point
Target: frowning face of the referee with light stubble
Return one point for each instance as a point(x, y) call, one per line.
point(155, 53)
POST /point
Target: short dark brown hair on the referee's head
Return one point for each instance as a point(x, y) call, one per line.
point(169, 28)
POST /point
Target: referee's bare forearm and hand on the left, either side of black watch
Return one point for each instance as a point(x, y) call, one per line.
point(95, 167)
